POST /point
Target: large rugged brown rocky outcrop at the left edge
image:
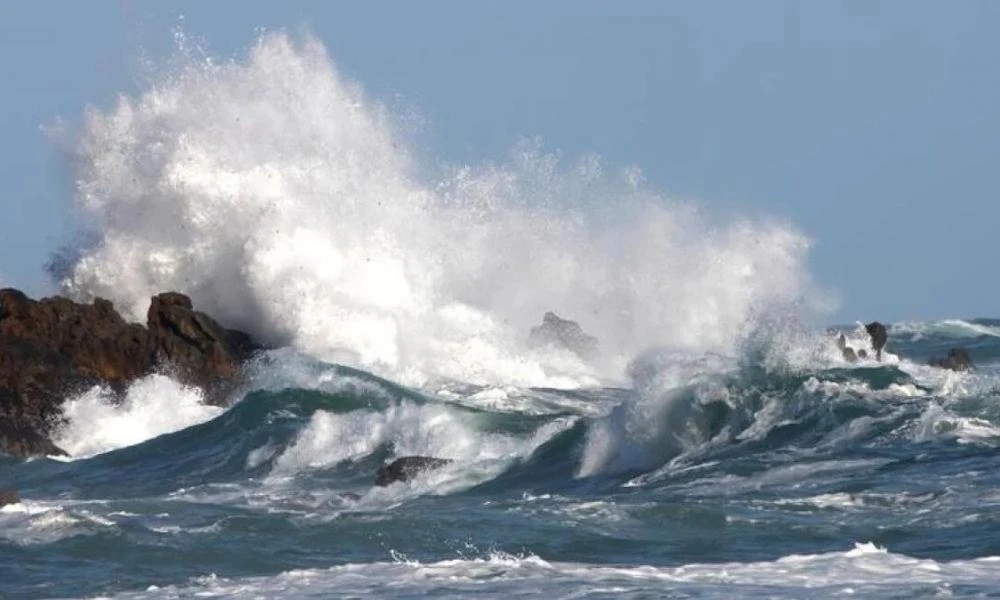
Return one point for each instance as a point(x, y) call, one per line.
point(54, 347)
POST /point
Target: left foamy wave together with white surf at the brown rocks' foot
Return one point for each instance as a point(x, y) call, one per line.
point(162, 439)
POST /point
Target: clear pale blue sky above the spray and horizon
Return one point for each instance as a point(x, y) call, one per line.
point(873, 127)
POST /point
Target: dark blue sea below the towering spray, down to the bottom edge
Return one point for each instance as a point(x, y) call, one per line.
point(701, 478)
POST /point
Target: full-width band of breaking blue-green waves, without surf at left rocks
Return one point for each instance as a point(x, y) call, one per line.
point(743, 420)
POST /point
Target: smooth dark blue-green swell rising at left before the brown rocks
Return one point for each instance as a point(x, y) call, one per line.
point(251, 438)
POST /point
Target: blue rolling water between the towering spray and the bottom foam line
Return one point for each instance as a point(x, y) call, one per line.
point(770, 462)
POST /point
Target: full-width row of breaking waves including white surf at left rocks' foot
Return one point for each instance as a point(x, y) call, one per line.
point(328, 427)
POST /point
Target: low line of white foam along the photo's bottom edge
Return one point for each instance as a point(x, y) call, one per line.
point(866, 570)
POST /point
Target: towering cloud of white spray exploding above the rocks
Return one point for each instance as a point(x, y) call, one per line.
point(286, 202)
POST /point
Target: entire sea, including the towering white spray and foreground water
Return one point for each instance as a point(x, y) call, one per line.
point(714, 445)
